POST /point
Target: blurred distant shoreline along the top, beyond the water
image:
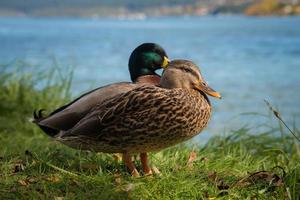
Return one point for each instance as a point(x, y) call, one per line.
point(141, 11)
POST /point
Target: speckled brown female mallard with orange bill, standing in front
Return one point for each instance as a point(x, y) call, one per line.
point(147, 118)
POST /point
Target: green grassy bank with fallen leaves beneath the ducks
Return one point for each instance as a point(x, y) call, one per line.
point(32, 166)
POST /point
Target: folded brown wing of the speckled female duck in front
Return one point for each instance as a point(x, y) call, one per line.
point(124, 113)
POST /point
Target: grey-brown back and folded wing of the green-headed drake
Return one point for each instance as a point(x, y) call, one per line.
point(67, 116)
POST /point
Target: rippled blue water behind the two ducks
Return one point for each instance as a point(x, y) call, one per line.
point(247, 59)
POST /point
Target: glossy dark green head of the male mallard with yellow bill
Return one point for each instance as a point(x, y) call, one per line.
point(145, 59)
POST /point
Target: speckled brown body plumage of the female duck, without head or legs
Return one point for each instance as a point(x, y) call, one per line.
point(145, 119)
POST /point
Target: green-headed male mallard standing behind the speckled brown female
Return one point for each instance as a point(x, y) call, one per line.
point(143, 62)
